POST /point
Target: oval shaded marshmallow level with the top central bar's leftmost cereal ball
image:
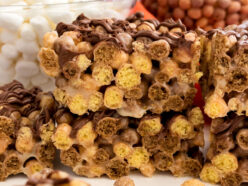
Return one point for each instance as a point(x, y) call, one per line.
point(26, 68)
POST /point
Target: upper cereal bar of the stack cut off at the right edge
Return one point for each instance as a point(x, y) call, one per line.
point(224, 64)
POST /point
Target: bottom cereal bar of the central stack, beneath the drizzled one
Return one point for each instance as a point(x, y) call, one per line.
point(107, 143)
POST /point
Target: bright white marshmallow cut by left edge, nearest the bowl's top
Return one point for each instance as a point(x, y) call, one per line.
point(10, 21)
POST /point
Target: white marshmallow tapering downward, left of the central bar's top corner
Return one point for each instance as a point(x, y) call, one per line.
point(40, 25)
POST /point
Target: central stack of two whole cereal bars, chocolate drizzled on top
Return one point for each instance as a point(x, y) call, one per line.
point(125, 90)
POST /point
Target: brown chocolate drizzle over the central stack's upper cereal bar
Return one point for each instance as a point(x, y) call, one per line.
point(114, 30)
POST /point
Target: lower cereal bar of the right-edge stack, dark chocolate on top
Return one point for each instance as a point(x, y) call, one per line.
point(227, 157)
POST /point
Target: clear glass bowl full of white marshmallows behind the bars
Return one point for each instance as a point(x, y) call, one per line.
point(22, 27)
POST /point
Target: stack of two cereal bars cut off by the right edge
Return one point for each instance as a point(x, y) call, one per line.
point(225, 87)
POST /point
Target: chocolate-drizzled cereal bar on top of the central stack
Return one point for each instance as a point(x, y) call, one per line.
point(132, 66)
